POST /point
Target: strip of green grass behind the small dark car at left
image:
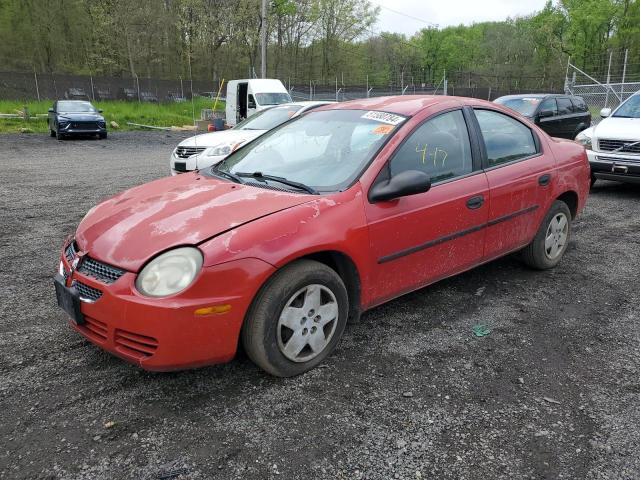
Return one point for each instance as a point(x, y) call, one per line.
point(158, 114)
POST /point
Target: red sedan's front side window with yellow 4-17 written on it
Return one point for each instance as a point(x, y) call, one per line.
point(439, 147)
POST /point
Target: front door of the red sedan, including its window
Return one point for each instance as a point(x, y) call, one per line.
point(419, 239)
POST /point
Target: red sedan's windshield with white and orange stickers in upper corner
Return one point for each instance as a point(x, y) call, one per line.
point(326, 150)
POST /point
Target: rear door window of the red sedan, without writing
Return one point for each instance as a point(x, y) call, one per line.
point(505, 138)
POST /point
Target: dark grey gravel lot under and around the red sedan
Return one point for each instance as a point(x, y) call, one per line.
point(552, 392)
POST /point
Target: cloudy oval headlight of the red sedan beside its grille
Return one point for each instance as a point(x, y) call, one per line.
point(170, 272)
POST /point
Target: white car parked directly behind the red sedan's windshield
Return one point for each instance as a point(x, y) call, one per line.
point(202, 151)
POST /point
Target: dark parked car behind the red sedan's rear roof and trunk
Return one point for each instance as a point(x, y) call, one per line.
point(561, 116)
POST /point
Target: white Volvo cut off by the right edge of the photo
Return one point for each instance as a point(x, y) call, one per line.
point(613, 146)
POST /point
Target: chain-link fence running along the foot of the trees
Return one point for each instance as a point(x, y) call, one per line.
point(32, 86)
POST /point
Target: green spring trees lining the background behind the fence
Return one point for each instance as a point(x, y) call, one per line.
point(309, 40)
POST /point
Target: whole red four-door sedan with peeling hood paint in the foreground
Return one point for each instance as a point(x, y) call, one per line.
point(324, 217)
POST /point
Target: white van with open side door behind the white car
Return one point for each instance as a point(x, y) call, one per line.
point(246, 97)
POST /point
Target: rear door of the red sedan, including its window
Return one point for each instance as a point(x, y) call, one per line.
point(519, 174)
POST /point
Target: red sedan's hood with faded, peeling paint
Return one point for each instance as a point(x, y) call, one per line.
point(137, 224)
